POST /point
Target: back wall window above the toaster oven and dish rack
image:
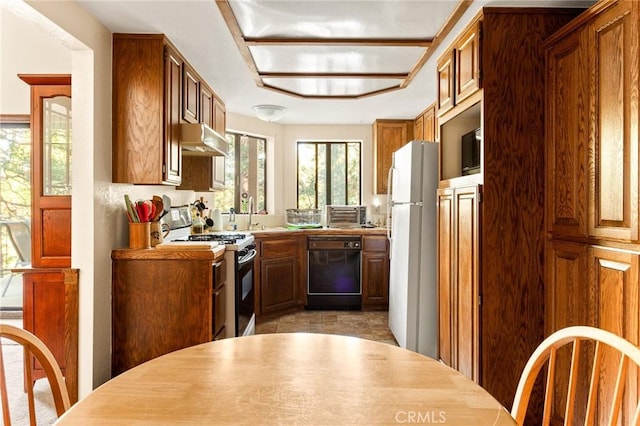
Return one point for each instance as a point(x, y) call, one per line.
point(328, 173)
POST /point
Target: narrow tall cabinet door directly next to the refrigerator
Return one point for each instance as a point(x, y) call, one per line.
point(445, 279)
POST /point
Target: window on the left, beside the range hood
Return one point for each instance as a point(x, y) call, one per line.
point(245, 174)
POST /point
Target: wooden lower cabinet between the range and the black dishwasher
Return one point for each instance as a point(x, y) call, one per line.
point(280, 277)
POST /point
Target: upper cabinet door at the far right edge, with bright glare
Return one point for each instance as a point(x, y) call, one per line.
point(613, 133)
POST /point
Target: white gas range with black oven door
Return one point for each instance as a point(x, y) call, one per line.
point(240, 252)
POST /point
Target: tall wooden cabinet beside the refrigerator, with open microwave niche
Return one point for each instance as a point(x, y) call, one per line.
point(490, 224)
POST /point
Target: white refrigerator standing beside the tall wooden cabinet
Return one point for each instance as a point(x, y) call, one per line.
point(411, 211)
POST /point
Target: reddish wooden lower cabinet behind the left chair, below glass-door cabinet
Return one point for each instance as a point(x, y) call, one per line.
point(50, 311)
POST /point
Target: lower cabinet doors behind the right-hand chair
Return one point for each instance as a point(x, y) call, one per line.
point(595, 286)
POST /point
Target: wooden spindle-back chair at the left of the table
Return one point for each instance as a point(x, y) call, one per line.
point(33, 346)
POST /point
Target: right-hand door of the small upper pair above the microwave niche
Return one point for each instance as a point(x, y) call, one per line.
point(467, 63)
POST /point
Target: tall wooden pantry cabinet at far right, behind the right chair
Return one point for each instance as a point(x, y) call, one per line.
point(593, 246)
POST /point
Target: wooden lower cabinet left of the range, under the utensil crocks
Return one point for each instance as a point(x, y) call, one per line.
point(162, 305)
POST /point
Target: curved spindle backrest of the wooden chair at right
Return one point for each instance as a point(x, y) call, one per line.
point(546, 355)
